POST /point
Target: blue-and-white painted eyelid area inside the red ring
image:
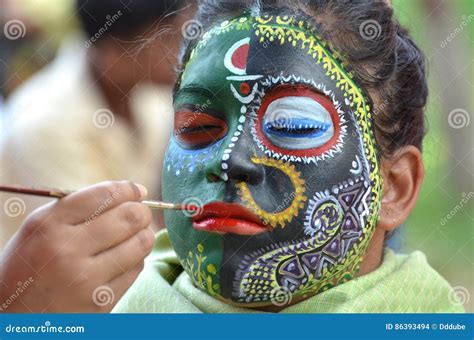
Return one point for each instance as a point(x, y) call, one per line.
point(297, 122)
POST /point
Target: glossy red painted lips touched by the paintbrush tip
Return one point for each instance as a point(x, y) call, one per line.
point(221, 218)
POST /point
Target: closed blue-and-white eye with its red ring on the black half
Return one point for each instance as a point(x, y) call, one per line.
point(297, 119)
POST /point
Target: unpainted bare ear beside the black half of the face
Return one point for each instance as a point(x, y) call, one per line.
point(402, 175)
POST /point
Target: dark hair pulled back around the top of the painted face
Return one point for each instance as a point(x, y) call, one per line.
point(383, 58)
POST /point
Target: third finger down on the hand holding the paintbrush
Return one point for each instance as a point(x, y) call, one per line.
point(126, 255)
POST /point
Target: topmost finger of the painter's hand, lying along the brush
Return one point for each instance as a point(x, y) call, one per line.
point(89, 203)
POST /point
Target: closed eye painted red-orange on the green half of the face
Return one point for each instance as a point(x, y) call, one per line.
point(196, 130)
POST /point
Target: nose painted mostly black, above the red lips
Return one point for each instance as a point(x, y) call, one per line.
point(239, 164)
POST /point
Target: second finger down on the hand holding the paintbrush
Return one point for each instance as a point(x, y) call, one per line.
point(116, 226)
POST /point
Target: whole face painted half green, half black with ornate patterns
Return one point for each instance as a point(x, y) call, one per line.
point(272, 130)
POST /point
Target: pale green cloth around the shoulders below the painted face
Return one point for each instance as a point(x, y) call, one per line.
point(401, 284)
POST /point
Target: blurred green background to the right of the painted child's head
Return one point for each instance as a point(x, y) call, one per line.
point(442, 224)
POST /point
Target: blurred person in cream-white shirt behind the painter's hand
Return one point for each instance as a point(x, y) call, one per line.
point(101, 111)
